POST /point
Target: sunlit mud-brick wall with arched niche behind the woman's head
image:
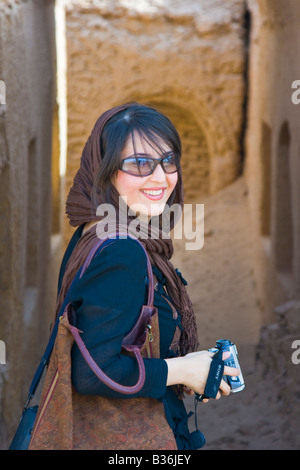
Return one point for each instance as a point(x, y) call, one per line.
point(186, 58)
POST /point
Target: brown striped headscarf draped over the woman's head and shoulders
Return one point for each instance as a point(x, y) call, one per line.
point(80, 210)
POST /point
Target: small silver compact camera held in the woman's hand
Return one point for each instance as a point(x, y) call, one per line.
point(237, 384)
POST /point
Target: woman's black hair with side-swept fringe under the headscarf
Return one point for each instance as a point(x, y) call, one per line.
point(151, 125)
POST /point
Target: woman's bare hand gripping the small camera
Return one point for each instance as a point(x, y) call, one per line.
point(192, 371)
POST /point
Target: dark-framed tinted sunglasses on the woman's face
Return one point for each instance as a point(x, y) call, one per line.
point(139, 165)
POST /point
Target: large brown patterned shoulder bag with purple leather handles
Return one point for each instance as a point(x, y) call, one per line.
point(67, 420)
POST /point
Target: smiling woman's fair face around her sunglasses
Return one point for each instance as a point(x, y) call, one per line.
point(145, 194)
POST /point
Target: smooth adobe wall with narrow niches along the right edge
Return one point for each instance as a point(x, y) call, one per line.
point(272, 169)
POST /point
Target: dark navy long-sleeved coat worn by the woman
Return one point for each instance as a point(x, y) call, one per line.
point(108, 300)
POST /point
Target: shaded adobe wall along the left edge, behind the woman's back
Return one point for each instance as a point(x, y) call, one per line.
point(27, 67)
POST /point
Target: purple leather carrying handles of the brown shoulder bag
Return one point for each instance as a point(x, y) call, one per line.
point(134, 340)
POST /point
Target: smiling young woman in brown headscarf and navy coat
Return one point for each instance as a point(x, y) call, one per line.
point(132, 157)
